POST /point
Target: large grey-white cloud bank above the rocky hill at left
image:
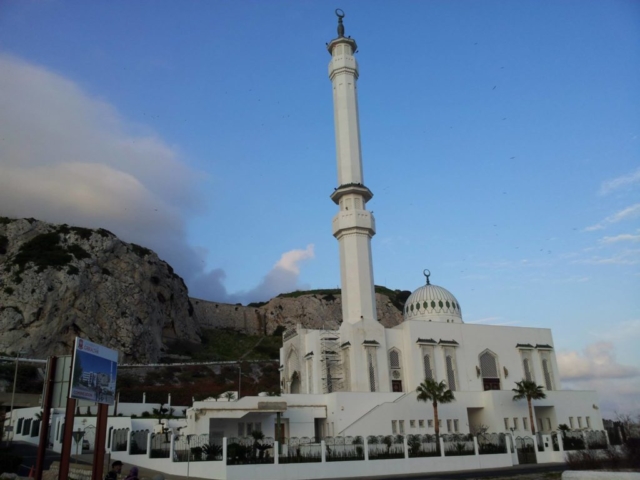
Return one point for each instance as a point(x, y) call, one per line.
point(66, 157)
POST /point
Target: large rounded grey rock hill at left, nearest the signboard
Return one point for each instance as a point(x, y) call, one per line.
point(58, 282)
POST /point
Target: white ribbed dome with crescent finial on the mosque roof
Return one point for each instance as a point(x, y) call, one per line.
point(432, 303)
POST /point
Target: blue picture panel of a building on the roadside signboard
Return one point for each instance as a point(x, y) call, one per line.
point(94, 372)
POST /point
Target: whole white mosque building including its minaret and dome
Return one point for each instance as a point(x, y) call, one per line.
point(361, 379)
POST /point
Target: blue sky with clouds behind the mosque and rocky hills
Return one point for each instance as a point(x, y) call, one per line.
point(500, 140)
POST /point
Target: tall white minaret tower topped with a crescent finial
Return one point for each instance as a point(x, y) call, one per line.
point(354, 225)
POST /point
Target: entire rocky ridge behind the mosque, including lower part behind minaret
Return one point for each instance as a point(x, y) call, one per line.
point(58, 282)
